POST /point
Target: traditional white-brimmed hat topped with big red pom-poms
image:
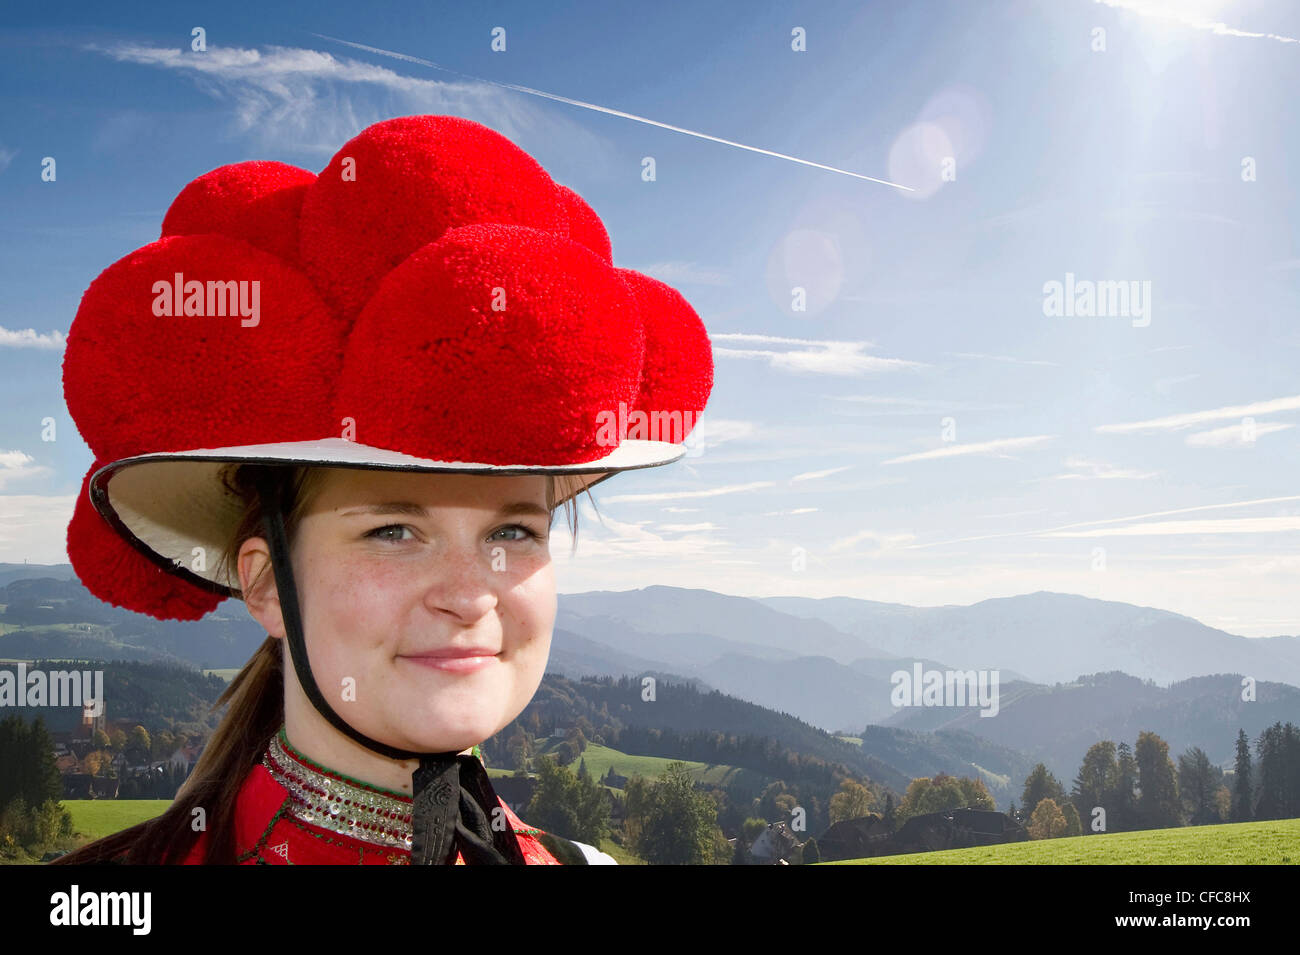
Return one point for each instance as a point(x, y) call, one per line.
point(431, 302)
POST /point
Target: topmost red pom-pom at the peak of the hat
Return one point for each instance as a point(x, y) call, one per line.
point(400, 185)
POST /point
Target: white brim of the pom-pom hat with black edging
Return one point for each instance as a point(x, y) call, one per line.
point(167, 505)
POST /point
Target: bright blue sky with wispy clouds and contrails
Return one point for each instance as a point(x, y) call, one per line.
point(924, 431)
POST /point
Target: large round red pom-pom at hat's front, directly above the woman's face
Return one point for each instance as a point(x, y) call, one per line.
point(495, 324)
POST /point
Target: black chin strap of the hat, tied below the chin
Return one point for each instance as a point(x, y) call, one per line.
point(453, 797)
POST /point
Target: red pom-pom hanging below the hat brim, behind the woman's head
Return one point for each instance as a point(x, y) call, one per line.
point(118, 574)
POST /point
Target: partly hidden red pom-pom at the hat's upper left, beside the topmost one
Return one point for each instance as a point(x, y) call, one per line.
point(258, 202)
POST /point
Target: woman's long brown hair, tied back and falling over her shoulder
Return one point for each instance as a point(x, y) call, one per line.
point(255, 698)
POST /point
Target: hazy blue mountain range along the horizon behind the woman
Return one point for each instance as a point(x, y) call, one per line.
point(1072, 670)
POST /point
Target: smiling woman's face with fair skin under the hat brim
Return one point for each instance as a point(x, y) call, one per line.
point(428, 602)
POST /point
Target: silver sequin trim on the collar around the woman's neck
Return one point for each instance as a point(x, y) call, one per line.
point(339, 806)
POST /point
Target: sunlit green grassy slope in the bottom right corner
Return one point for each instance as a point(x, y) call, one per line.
point(1276, 843)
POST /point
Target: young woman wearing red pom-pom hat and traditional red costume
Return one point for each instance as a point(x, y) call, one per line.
point(424, 353)
